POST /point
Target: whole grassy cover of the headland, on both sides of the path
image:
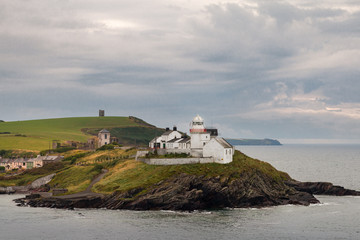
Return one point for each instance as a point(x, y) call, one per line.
point(125, 174)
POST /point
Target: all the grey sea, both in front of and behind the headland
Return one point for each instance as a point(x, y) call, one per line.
point(333, 218)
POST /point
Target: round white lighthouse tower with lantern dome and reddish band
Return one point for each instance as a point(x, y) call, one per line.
point(199, 136)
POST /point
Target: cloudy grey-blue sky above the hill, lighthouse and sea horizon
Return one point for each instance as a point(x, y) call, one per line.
point(287, 70)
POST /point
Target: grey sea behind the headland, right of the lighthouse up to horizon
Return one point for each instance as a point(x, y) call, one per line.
point(338, 164)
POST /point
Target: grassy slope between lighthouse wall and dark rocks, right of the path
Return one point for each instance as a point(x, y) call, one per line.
point(129, 174)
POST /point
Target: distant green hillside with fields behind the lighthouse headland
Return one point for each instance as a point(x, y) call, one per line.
point(38, 134)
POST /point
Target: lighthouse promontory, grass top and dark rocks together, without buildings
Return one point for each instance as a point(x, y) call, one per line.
point(245, 182)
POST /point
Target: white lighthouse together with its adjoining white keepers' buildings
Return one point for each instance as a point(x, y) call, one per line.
point(201, 143)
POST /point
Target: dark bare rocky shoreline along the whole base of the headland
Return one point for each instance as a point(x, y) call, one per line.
point(191, 192)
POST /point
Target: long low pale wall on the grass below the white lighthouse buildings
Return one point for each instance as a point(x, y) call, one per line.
point(175, 161)
